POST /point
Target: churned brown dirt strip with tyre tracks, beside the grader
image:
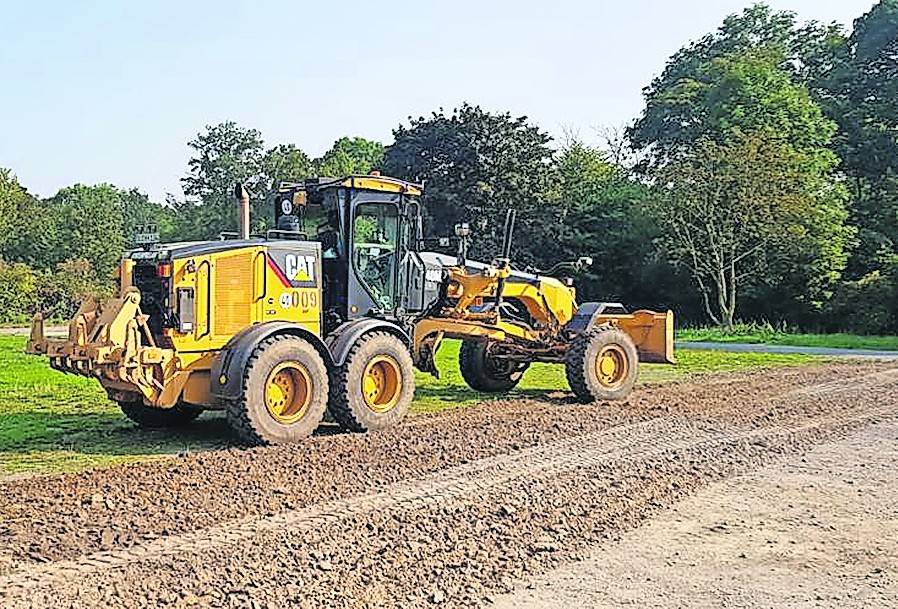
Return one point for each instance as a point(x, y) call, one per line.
point(451, 509)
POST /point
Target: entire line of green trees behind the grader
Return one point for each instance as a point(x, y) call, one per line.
point(760, 182)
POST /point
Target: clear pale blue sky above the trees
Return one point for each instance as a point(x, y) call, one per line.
point(95, 91)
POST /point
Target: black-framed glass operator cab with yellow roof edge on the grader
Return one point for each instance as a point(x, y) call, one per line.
point(369, 229)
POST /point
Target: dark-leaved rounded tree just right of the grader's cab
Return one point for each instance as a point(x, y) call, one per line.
point(477, 165)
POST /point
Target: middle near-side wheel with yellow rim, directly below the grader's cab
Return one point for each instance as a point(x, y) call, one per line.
point(373, 389)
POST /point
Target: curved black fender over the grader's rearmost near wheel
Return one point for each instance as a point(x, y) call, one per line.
point(227, 369)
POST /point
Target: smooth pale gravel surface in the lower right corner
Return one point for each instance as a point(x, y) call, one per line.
point(812, 531)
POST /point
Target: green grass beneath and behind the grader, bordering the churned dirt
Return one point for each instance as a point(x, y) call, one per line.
point(52, 422)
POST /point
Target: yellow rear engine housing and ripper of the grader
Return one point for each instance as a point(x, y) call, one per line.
point(233, 289)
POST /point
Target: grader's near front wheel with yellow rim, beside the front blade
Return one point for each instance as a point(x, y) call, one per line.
point(602, 364)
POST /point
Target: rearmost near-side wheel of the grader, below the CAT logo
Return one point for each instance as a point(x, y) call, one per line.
point(284, 395)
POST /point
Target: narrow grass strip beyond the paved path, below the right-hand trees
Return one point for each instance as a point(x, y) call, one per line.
point(755, 334)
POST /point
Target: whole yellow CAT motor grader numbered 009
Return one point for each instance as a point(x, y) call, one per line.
point(329, 313)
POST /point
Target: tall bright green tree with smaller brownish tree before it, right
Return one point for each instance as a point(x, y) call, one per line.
point(751, 203)
